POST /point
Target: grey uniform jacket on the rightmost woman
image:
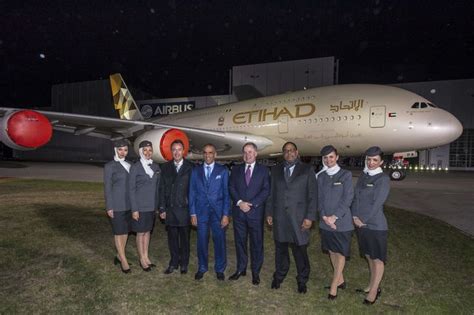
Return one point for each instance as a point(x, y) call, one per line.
point(370, 195)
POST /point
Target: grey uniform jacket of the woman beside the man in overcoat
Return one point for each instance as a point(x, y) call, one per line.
point(335, 195)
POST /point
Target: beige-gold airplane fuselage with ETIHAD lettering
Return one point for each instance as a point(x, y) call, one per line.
point(350, 117)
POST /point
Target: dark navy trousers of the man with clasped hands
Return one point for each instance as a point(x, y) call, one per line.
point(244, 229)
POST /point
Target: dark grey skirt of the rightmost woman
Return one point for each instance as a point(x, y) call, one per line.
point(373, 243)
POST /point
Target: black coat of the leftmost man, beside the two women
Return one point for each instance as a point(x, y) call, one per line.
point(174, 190)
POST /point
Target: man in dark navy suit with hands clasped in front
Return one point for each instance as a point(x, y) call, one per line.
point(249, 188)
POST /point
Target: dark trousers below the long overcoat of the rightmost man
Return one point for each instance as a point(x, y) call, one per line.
point(282, 261)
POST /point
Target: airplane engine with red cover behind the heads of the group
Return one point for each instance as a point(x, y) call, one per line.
point(162, 139)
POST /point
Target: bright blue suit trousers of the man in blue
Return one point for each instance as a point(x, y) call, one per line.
point(218, 237)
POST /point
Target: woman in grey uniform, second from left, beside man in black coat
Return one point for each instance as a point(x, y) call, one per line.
point(144, 180)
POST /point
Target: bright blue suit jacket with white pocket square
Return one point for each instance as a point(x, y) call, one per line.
point(206, 196)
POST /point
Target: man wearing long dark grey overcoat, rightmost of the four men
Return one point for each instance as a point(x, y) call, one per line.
point(290, 209)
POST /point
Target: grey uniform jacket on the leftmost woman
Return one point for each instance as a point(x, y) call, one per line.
point(116, 190)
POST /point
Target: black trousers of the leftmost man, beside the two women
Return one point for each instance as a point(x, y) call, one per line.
point(178, 244)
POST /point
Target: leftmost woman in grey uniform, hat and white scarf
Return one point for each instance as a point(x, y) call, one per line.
point(117, 201)
